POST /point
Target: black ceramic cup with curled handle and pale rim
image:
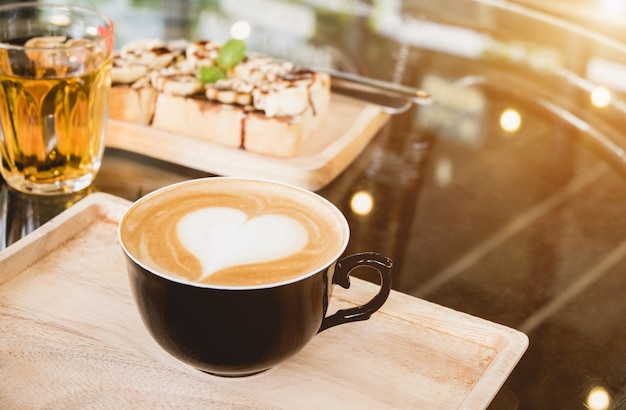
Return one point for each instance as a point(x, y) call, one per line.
point(240, 330)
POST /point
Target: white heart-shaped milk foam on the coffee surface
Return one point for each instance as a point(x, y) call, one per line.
point(223, 237)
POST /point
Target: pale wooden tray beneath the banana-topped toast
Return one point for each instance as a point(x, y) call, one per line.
point(340, 137)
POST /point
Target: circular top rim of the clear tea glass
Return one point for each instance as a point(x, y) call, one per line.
point(102, 35)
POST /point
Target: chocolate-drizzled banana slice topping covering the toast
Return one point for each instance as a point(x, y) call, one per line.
point(257, 83)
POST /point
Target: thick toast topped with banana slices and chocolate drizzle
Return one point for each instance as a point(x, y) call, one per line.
point(263, 106)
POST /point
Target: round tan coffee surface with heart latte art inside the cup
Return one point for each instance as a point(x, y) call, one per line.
point(233, 232)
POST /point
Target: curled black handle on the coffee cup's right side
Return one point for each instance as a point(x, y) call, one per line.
point(341, 277)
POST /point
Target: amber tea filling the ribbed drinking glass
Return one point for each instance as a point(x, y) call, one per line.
point(53, 129)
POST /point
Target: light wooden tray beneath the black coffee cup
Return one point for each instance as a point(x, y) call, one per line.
point(71, 338)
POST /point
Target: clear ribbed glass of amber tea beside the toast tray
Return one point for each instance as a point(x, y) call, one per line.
point(55, 63)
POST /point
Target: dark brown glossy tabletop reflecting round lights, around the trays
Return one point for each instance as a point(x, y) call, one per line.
point(504, 199)
